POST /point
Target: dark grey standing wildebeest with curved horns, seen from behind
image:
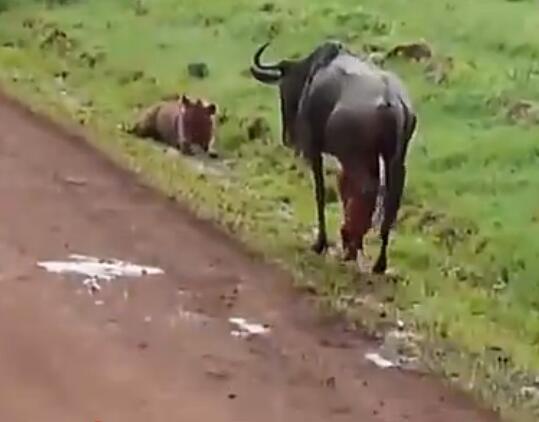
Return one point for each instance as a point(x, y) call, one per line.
point(334, 102)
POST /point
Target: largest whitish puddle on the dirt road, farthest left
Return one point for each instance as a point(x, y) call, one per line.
point(96, 270)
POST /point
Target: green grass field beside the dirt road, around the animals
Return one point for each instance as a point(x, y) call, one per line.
point(466, 248)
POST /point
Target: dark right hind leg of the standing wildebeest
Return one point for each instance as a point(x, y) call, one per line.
point(395, 179)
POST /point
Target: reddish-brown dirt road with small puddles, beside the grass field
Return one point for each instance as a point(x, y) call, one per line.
point(139, 356)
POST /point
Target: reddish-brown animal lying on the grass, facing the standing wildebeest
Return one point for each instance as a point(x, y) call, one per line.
point(180, 124)
